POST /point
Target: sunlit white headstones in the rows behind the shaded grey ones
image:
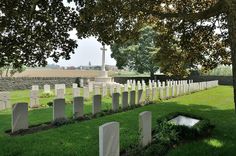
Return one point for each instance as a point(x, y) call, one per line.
point(177, 88)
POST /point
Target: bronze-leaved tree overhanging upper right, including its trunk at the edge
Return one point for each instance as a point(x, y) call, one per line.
point(118, 20)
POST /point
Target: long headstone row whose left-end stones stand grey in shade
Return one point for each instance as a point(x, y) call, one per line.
point(20, 110)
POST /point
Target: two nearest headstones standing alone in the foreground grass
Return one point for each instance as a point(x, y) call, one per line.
point(109, 135)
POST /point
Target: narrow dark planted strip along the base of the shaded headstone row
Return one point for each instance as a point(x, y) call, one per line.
point(55, 124)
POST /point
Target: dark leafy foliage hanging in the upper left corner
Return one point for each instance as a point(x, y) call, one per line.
point(33, 30)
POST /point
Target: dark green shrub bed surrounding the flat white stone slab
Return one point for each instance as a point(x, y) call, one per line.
point(167, 135)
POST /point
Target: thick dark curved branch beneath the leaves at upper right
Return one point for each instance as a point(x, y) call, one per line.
point(215, 10)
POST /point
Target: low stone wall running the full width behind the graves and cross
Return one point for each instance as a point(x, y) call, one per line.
point(8, 84)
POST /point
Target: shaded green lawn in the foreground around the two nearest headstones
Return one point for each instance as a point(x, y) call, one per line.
point(71, 139)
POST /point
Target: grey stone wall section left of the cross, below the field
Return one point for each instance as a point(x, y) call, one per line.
point(8, 84)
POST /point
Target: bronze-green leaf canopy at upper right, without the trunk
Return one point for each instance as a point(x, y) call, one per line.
point(186, 43)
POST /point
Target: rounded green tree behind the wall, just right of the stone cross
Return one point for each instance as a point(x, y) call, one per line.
point(138, 54)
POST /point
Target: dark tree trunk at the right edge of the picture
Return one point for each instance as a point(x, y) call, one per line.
point(232, 38)
